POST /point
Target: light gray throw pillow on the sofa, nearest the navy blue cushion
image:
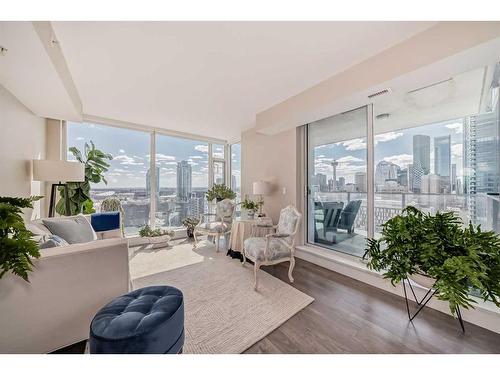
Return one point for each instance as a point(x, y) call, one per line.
point(76, 229)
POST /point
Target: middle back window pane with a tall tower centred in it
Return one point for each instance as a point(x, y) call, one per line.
point(182, 170)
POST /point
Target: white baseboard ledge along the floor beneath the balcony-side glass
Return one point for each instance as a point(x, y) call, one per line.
point(485, 315)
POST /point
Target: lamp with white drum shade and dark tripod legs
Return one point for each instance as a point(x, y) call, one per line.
point(58, 170)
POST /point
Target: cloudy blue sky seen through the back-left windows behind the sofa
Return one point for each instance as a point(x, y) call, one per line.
point(130, 150)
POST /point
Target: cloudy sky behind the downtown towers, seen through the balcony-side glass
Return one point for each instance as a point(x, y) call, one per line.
point(395, 147)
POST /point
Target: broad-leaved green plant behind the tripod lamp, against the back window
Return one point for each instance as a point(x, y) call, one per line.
point(96, 165)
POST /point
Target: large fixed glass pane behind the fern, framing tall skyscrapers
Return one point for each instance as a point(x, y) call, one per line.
point(440, 149)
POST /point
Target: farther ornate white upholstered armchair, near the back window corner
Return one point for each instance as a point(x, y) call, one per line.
point(220, 225)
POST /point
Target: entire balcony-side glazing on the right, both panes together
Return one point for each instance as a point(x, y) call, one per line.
point(434, 147)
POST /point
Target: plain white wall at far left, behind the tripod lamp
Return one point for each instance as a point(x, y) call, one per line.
point(22, 139)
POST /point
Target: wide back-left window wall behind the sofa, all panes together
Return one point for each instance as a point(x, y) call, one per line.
point(179, 180)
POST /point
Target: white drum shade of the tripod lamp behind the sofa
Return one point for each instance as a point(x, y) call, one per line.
point(58, 170)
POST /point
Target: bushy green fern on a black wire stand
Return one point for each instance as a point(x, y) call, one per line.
point(439, 246)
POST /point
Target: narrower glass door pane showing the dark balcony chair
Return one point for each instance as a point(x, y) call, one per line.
point(337, 182)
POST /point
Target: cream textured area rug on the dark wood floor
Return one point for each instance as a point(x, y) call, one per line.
point(223, 313)
